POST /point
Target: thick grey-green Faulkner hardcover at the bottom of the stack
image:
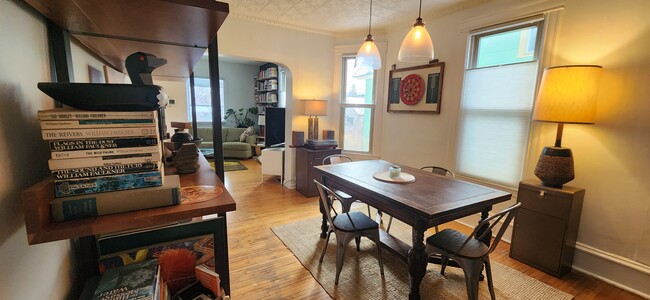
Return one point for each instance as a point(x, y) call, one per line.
point(86, 206)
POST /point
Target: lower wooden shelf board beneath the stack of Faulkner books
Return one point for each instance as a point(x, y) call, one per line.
point(41, 229)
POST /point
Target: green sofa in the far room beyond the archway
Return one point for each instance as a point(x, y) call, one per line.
point(232, 147)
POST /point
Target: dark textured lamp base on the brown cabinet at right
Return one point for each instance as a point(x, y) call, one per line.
point(555, 166)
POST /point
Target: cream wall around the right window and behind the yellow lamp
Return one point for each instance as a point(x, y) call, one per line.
point(611, 157)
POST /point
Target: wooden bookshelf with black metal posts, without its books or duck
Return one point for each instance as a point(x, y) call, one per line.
point(177, 30)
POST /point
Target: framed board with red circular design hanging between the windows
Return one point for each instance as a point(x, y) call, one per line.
point(416, 89)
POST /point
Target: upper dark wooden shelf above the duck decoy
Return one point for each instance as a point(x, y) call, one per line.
point(178, 30)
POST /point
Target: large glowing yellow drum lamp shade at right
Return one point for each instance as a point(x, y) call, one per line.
point(567, 94)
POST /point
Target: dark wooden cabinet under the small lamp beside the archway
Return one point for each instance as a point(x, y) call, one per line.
point(306, 159)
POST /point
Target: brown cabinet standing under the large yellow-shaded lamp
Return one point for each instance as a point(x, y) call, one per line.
point(546, 226)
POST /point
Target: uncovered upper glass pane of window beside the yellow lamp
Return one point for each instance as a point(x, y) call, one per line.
point(507, 47)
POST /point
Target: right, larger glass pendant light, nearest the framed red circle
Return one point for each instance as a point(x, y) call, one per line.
point(417, 46)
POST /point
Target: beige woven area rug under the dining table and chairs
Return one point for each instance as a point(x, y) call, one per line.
point(360, 277)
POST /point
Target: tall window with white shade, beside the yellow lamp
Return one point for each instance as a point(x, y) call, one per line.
point(498, 92)
